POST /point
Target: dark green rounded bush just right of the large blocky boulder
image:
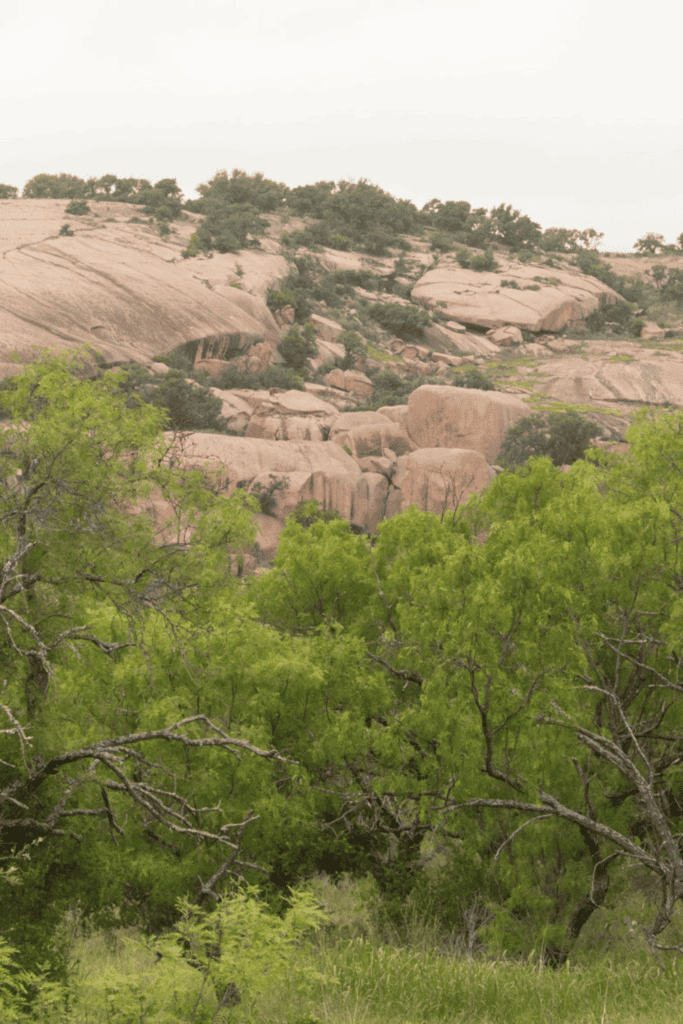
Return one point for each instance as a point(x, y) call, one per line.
point(564, 437)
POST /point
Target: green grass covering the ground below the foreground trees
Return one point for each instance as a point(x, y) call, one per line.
point(370, 976)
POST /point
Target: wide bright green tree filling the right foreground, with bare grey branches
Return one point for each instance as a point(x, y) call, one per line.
point(492, 667)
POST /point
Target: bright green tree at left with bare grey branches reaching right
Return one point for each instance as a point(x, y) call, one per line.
point(94, 599)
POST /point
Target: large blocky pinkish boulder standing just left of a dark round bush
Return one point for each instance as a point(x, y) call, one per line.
point(442, 416)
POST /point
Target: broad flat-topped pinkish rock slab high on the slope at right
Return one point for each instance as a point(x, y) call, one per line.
point(549, 304)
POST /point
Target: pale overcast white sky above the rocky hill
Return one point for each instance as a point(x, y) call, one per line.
point(571, 112)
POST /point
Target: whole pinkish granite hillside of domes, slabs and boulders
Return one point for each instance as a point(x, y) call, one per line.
point(119, 286)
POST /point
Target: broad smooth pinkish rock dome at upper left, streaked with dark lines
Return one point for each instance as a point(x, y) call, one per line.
point(123, 287)
